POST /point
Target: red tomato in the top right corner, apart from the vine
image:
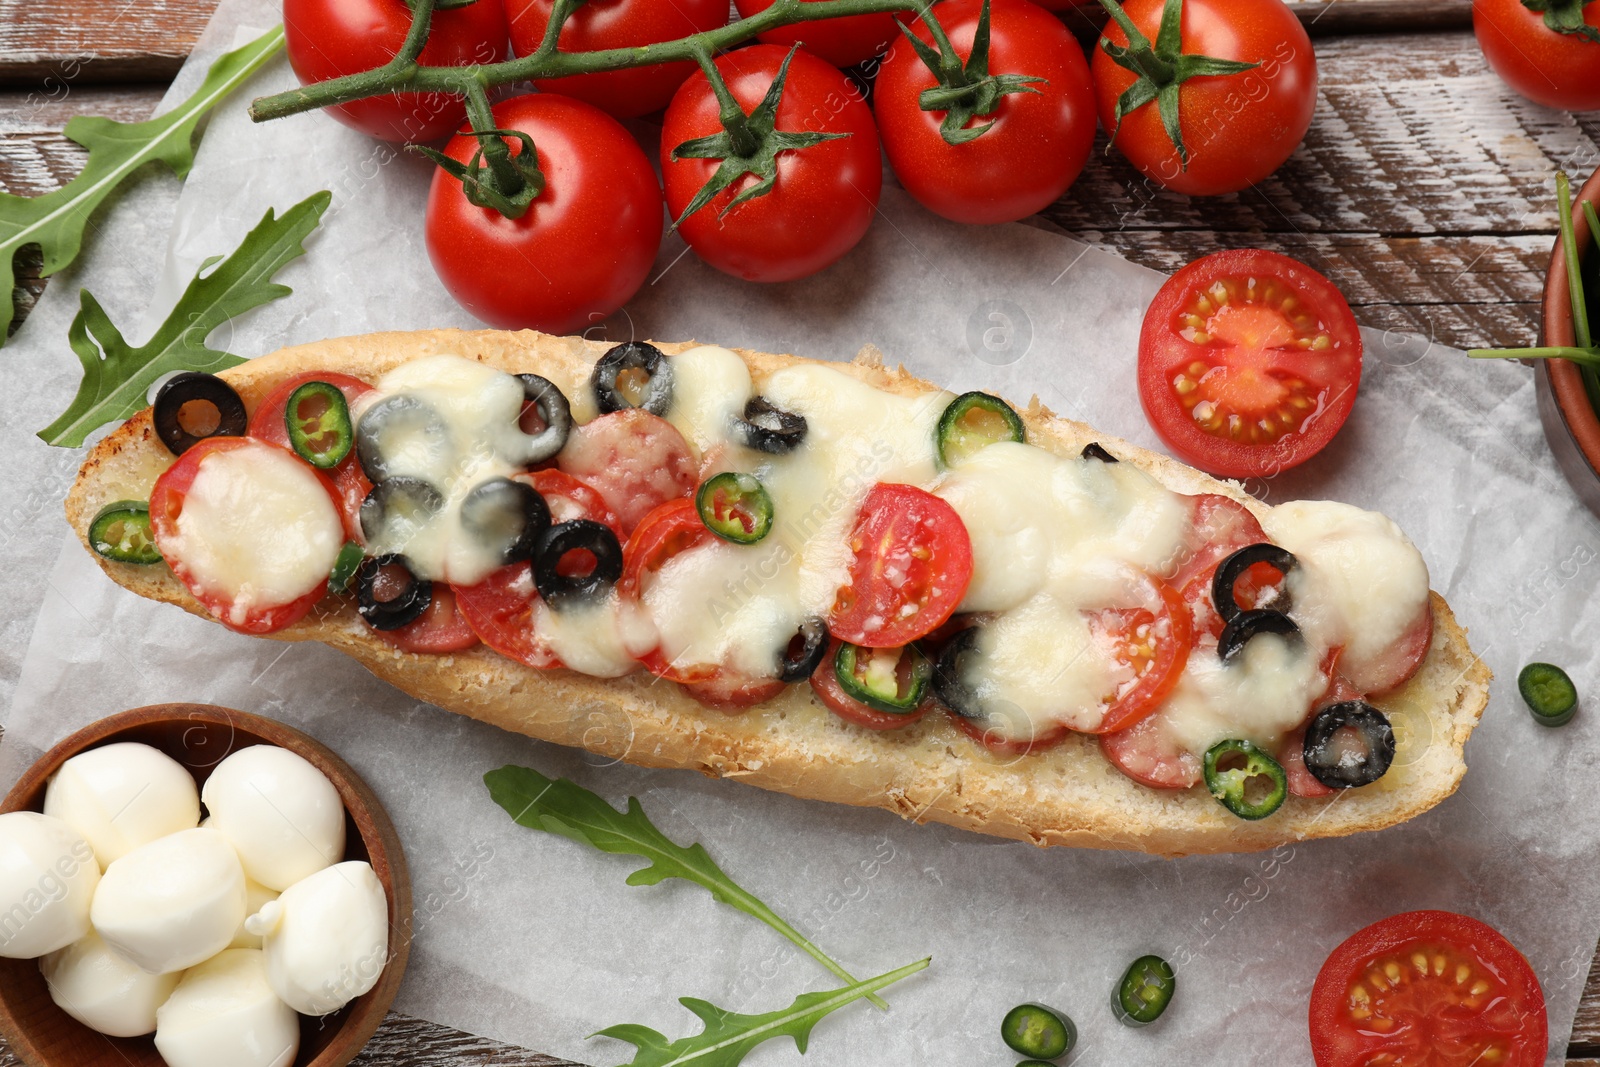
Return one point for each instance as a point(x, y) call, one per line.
point(1548, 68)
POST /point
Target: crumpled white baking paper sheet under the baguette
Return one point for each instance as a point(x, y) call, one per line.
point(537, 941)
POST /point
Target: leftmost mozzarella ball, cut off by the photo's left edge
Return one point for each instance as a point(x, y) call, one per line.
point(47, 884)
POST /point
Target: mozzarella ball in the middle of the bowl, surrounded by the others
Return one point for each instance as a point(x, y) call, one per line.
point(172, 903)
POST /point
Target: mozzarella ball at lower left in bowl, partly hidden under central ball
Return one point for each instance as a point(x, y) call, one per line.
point(103, 991)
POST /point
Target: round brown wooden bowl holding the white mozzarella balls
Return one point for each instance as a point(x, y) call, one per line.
point(201, 737)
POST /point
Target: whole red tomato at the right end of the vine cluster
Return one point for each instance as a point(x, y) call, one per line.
point(1239, 129)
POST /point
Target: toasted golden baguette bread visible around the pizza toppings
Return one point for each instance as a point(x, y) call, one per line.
point(929, 772)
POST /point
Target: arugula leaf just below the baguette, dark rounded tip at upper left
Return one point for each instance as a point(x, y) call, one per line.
point(570, 810)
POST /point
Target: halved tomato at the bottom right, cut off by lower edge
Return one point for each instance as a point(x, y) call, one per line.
point(1428, 989)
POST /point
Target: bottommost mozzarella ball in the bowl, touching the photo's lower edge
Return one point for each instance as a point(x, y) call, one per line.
point(223, 1012)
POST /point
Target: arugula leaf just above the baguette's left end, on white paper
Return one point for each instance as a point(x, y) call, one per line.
point(118, 377)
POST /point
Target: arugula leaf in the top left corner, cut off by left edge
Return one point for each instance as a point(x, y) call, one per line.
point(57, 220)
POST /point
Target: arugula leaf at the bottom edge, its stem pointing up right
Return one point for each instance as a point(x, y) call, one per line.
point(729, 1036)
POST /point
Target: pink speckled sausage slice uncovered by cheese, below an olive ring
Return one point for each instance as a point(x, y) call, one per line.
point(634, 460)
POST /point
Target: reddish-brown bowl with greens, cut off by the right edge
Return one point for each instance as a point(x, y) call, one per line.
point(1569, 418)
